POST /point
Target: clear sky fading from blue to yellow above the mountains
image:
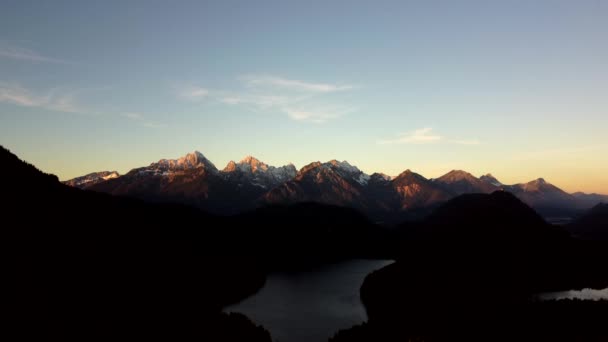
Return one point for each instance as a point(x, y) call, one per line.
point(513, 88)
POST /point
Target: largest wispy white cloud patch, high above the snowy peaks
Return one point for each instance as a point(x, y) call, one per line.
point(298, 100)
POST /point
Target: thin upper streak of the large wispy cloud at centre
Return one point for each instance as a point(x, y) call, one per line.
point(279, 82)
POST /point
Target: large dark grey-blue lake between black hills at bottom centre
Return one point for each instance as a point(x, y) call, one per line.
point(310, 306)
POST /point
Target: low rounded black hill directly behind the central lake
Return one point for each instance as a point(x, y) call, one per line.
point(308, 233)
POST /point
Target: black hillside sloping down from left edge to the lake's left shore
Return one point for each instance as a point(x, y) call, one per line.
point(88, 266)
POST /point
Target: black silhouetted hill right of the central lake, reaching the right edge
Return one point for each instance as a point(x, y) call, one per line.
point(470, 272)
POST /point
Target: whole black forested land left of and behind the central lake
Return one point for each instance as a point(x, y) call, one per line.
point(89, 265)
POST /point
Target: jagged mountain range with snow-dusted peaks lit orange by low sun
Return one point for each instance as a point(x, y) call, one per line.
point(250, 183)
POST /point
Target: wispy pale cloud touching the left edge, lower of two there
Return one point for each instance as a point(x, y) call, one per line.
point(55, 100)
